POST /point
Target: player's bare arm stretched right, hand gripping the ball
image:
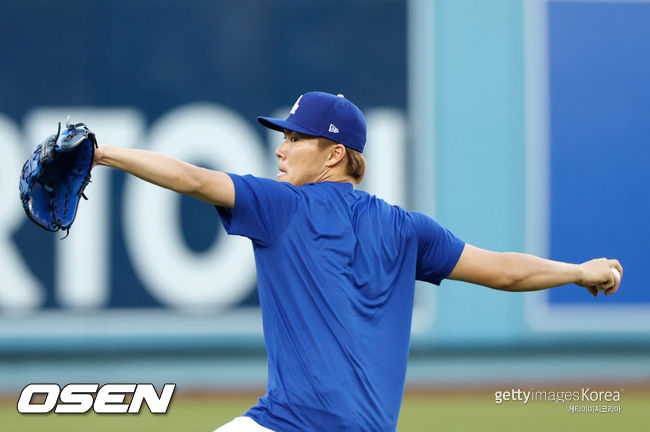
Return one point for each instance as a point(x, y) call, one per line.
point(510, 271)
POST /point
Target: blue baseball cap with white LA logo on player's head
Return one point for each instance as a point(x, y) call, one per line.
point(324, 115)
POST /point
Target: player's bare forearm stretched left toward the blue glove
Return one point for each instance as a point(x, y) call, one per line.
point(213, 187)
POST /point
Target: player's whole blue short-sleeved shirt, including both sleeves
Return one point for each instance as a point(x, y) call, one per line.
point(336, 269)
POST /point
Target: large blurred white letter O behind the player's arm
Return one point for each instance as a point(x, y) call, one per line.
point(174, 274)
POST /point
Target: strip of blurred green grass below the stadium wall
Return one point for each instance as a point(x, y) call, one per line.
point(420, 413)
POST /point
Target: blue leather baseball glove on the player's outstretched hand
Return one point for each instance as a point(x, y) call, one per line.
point(55, 176)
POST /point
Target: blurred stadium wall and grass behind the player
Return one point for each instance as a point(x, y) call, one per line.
point(520, 125)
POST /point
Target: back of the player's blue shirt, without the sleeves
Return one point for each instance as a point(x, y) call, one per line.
point(339, 343)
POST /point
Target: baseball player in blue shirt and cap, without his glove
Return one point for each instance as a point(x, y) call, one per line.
point(336, 268)
